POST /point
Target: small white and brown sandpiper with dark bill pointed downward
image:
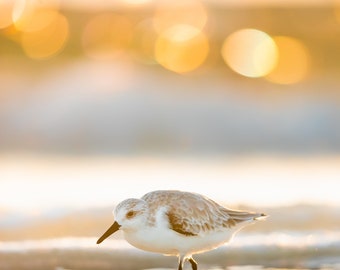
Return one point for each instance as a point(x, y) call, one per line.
point(177, 223)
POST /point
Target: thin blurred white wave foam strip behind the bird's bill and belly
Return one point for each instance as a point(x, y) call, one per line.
point(282, 239)
